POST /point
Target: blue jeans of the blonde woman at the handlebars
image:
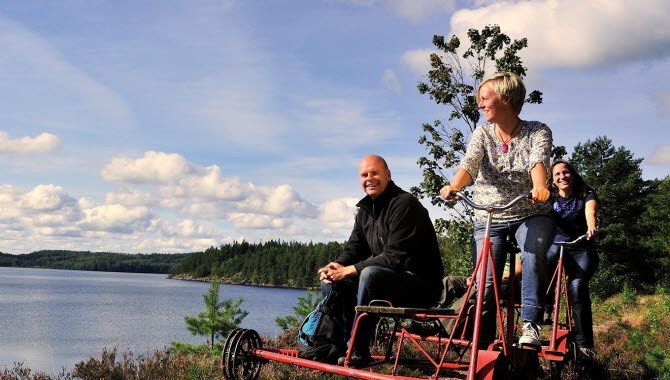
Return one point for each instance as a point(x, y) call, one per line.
point(534, 235)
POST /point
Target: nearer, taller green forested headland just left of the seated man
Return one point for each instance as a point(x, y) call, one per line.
point(273, 263)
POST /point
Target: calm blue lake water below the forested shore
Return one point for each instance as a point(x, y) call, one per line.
point(54, 318)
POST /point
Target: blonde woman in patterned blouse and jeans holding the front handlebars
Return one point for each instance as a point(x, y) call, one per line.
point(506, 157)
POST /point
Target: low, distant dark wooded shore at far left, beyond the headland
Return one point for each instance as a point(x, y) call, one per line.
point(94, 261)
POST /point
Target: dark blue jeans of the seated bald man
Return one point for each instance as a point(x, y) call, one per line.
point(378, 283)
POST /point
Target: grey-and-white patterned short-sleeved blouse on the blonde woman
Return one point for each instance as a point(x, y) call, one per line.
point(499, 177)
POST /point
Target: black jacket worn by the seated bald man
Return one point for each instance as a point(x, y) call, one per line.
point(394, 231)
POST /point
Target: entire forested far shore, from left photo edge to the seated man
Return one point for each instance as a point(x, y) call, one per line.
point(274, 263)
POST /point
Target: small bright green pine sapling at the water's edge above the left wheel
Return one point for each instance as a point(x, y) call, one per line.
point(219, 317)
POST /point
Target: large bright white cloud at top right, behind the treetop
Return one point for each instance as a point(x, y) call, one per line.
point(576, 33)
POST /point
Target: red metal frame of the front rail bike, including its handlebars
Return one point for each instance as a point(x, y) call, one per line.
point(481, 364)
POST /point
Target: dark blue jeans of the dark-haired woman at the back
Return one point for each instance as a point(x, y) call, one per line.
point(580, 265)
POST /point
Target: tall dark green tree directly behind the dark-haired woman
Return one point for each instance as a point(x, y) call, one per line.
point(617, 178)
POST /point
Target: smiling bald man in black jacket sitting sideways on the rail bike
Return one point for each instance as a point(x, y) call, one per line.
point(392, 253)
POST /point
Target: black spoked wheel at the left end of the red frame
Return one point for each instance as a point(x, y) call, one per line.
point(238, 358)
